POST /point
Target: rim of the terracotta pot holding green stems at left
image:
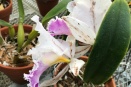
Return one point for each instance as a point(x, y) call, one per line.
point(21, 67)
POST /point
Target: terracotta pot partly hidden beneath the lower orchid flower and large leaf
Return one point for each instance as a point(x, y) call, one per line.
point(109, 83)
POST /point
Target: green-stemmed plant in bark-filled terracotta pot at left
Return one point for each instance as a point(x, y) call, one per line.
point(14, 46)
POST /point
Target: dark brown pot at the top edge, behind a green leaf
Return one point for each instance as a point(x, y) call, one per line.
point(46, 5)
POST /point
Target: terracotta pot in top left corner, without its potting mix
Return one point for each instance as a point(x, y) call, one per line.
point(5, 13)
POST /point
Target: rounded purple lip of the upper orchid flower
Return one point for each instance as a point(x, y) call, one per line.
point(58, 27)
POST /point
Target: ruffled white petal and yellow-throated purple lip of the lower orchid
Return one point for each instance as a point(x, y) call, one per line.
point(49, 51)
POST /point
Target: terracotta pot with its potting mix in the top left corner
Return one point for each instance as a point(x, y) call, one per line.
point(5, 9)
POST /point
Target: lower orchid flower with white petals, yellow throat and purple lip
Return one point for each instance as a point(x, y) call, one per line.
point(50, 51)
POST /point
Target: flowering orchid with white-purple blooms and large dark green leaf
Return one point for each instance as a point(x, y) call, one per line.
point(103, 29)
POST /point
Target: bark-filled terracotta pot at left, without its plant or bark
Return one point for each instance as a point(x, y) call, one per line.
point(16, 73)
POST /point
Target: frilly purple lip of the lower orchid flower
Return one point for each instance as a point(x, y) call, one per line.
point(35, 73)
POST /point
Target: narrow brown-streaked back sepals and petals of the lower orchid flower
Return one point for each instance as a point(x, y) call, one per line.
point(74, 65)
